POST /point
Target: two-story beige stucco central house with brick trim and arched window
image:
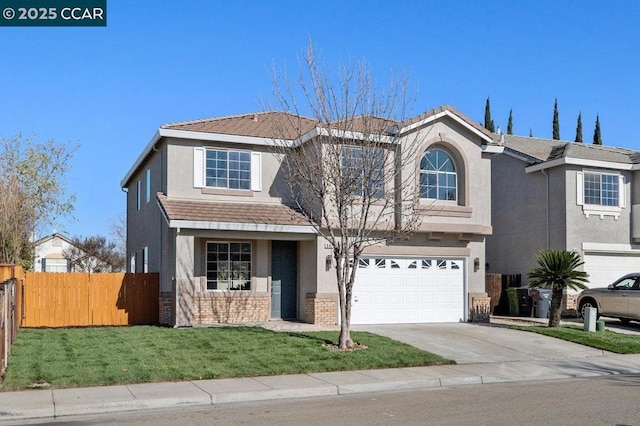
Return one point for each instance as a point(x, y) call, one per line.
point(207, 208)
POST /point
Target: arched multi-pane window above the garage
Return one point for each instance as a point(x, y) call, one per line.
point(438, 178)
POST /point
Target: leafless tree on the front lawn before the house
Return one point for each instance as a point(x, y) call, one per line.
point(355, 179)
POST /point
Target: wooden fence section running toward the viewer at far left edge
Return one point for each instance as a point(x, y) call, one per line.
point(10, 308)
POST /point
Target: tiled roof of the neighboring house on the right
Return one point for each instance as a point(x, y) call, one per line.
point(545, 153)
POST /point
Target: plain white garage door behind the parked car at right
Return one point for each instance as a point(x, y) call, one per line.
point(604, 269)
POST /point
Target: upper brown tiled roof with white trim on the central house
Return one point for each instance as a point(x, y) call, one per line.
point(263, 127)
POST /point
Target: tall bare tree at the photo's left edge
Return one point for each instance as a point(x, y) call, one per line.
point(32, 193)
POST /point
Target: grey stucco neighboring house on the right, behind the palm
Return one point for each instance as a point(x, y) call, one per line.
point(564, 195)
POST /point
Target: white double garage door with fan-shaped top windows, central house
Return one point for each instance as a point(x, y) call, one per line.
point(398, 290)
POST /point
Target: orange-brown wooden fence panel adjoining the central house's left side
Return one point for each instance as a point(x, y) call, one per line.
point(79, 299)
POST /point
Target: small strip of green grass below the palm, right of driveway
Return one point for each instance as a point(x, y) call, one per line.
point(607, 340)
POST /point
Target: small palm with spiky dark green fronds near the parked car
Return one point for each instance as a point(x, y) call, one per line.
point(556, 271)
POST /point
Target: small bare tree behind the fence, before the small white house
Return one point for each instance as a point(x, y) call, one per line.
point(94, 254)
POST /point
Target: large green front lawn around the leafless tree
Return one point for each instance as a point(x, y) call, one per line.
point(113, 355)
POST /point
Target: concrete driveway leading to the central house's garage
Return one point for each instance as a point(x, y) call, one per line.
point(481, 343)
